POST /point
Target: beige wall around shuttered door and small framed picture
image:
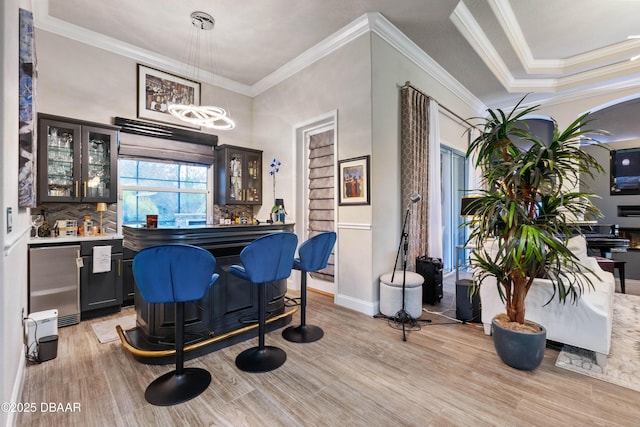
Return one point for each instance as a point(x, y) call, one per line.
point(341, 81)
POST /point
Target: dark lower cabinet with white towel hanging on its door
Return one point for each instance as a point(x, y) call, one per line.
point(100, 292)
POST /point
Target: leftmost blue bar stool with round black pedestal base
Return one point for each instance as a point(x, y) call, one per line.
point(175, 274)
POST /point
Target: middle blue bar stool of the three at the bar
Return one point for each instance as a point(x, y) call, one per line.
point(265, 260)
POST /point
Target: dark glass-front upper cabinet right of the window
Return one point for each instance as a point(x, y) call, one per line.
point(239, 176)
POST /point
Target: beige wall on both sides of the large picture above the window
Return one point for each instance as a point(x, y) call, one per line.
point(80, 81)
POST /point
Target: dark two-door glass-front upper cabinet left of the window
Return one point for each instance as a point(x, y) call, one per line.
point(77, 161)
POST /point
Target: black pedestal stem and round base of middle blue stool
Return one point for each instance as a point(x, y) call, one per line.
point(261, 358)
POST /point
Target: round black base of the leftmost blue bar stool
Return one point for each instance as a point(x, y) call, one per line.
point(172, 388)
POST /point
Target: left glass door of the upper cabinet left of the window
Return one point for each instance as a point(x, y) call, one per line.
point(59, 160)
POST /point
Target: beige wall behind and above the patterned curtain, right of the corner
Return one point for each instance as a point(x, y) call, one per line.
point(390, 71)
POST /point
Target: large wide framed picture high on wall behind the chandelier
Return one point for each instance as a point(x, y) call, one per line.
point(156, 89)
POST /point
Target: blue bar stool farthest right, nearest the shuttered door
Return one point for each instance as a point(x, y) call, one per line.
point(313, 256)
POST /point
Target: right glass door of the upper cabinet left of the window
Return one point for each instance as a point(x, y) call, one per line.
point(98, 162)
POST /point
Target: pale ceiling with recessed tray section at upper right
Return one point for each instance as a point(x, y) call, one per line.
point(498, 50)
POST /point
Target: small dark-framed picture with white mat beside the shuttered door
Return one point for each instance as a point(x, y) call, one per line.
point(354, 181)
